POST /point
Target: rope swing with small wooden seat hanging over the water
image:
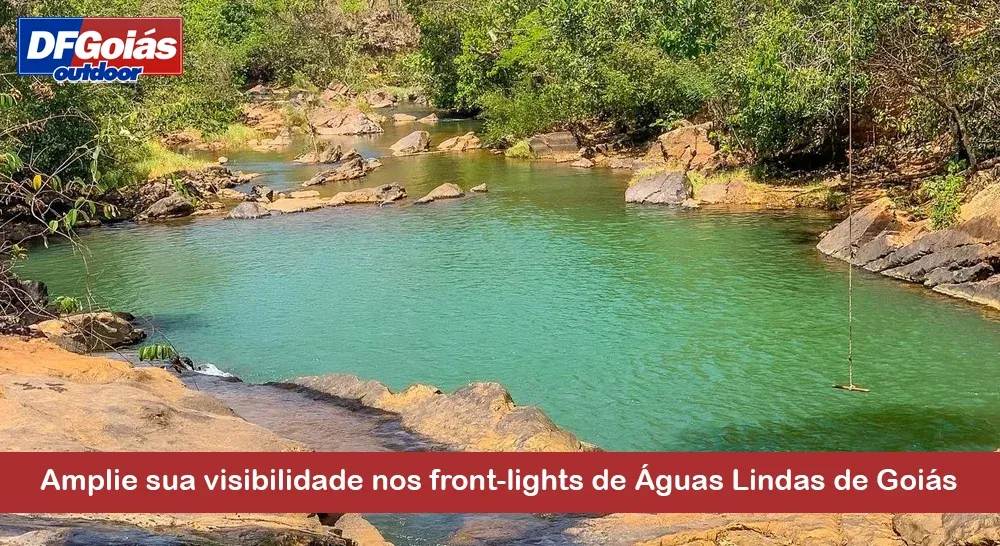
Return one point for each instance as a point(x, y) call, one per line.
point(850, 386)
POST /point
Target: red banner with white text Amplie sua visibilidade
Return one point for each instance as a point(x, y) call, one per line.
point(499, 482)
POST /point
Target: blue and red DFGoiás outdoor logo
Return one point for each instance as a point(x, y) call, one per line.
point(99, 49)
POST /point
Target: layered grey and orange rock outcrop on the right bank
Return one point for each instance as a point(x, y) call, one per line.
point(961, 261)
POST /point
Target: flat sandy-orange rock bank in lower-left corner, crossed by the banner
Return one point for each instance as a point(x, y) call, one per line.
point(54, 400)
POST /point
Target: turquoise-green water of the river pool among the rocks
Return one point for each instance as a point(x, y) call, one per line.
point(639, 328)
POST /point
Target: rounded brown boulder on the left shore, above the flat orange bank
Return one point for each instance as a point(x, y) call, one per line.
point(88, 332)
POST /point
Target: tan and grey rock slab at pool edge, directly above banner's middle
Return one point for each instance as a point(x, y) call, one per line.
point(478, 417)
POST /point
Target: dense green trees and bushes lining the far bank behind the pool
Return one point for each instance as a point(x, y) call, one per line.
point(774, 77)
